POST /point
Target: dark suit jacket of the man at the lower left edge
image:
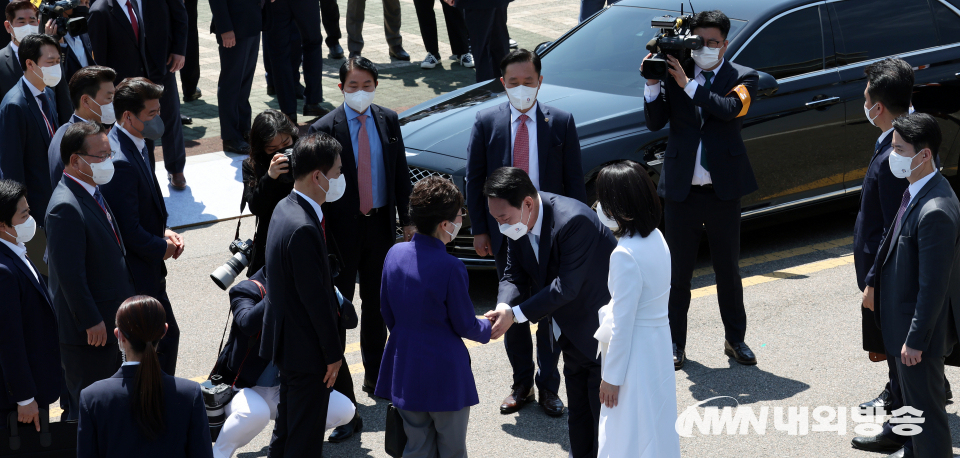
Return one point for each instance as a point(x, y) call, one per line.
point(29, 348)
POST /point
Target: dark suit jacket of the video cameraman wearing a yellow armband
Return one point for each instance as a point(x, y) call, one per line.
point(730, 168)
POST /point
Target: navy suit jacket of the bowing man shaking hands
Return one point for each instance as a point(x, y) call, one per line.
point(569, 283)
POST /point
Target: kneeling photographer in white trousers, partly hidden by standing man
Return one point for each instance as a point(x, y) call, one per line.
point(256, 381)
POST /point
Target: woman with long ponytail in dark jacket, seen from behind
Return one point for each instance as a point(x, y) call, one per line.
point(141, 411)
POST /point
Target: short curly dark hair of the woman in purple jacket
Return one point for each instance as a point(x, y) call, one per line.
point(433, 201)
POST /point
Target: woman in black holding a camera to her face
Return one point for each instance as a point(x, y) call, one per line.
point(266, 174)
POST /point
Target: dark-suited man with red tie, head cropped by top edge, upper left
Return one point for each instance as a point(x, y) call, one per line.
point(118, 31)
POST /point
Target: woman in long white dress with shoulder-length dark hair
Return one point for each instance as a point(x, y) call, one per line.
point(638, 390)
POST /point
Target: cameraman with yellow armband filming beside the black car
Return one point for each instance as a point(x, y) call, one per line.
point(705, 173)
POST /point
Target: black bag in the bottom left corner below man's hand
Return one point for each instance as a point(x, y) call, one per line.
point(57, 440)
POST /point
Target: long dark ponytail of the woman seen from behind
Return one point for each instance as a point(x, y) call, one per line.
point(141, 320)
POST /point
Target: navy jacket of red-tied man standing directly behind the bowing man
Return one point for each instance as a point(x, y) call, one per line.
point(558, 149)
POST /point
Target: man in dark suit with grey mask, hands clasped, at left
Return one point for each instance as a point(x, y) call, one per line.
point(134, 194)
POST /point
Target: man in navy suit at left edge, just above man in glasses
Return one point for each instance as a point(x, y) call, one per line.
point(28, 121)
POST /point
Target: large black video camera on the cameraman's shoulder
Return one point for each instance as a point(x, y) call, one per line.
point(675, 39)
